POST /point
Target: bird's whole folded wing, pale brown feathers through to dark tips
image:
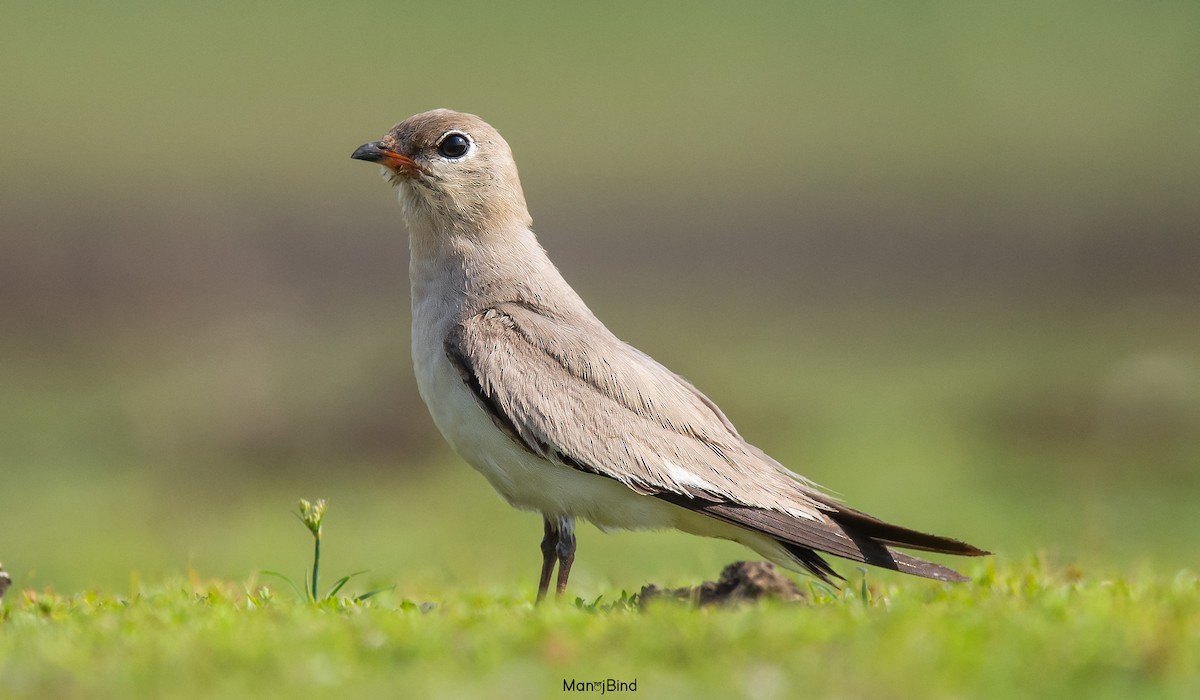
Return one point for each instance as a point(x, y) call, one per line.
point(571, 392)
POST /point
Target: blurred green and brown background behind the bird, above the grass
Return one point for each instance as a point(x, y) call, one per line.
point(940, 258)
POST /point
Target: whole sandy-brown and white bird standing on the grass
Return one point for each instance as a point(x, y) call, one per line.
point(557, 412)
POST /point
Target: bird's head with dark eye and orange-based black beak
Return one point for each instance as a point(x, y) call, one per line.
point(454, 173)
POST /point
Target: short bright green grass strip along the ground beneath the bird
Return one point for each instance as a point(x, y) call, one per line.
point(1022, 630)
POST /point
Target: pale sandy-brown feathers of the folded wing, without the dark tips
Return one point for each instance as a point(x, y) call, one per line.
point(581, 397)
